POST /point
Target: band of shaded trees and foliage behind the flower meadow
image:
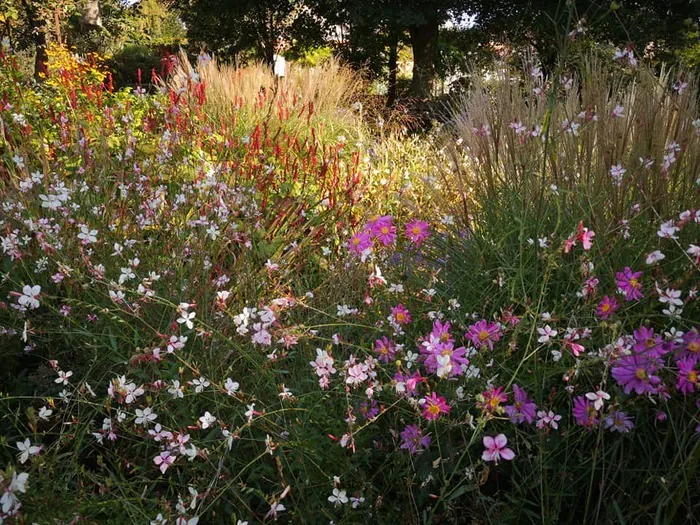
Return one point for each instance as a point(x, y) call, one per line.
point(366, 33)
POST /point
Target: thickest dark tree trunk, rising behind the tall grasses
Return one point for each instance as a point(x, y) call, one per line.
point(424, 41)
